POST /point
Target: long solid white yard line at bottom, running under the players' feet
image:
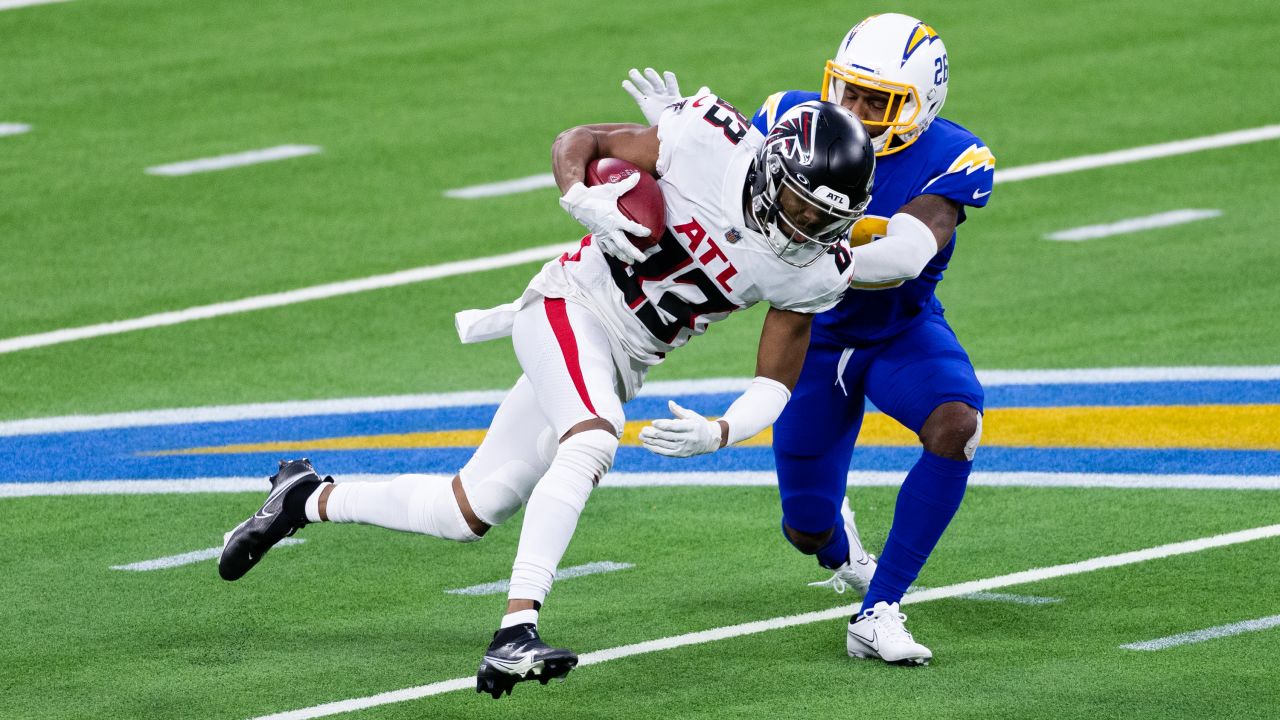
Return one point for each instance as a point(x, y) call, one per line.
point(804, 619)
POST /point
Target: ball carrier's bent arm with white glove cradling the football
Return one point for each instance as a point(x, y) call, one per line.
point(597, 208)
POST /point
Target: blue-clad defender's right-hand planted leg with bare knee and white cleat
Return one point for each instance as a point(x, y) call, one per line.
point(925, 381)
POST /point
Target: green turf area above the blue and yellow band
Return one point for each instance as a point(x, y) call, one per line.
point(409, 103)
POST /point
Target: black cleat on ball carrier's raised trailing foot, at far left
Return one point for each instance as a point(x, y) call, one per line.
point(246, 544)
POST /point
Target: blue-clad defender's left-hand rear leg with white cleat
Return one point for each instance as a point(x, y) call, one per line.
point(813, 441)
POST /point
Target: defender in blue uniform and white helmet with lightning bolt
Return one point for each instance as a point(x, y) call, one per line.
point(888, 341)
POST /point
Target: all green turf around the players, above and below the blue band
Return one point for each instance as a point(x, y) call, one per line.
point(413, 99)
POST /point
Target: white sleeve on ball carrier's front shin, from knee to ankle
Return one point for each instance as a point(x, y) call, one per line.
point(554, 509)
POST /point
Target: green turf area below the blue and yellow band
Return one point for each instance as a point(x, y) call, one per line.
point(356, 610)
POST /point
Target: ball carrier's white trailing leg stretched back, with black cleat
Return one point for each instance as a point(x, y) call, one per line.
point(499, 479)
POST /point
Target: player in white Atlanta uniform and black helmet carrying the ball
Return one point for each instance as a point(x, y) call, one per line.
point(748, 220)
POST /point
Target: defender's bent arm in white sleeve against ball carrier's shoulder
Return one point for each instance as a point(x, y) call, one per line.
point(917, 233)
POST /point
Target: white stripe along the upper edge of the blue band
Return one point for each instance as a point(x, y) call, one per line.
point(659, 389)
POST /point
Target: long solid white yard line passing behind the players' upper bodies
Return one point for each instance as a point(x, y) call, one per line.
point(276, 300)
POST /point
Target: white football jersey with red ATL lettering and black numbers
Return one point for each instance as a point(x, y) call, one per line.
point(708, 263)
